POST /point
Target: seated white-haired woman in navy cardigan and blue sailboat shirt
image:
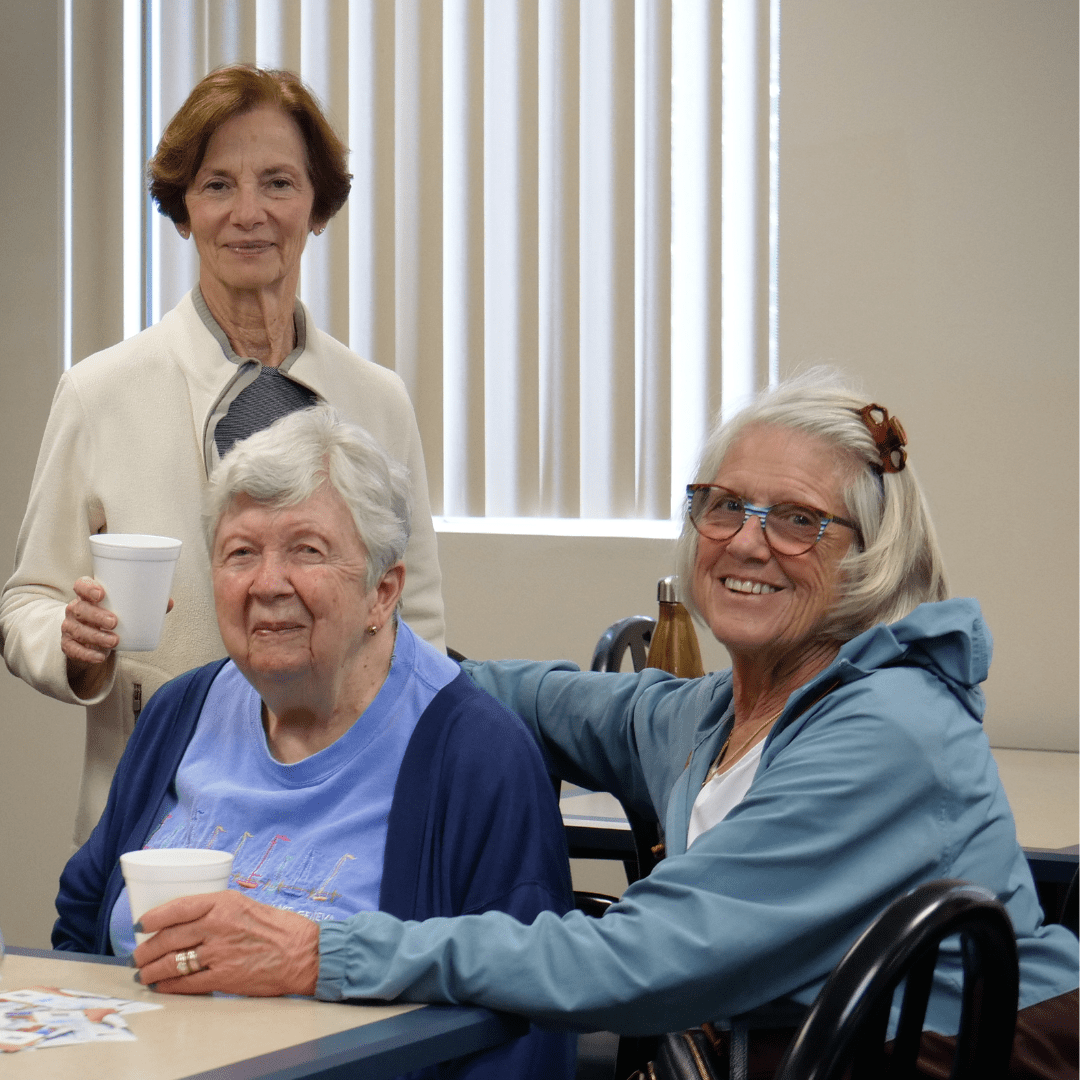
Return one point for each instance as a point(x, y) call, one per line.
point(349, 765)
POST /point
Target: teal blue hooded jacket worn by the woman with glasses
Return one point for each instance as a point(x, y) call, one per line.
point(885, 782)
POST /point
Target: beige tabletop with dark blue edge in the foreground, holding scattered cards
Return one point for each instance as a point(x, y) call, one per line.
point(232, 1038)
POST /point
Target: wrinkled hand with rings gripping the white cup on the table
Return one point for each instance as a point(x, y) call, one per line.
point(244, 948)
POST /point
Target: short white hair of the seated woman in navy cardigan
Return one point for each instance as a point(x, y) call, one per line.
point(286, 464)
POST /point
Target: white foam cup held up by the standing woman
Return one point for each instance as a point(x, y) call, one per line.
point(137, 572)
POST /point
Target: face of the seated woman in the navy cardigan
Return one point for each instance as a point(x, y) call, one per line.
point(291, 595)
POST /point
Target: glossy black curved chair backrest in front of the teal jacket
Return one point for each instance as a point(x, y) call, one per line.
point(846, 1027)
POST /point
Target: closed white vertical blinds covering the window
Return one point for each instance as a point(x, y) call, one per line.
point(534, 237)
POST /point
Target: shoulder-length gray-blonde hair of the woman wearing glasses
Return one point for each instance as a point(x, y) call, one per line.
point(899, 564)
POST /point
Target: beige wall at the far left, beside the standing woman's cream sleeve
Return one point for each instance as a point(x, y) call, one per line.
point(40, 739)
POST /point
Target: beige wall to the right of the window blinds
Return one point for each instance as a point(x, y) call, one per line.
point(928, 245)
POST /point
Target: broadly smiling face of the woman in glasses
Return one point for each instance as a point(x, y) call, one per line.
point(758, 603)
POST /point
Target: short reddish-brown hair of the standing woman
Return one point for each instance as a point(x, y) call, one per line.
point(231, 92)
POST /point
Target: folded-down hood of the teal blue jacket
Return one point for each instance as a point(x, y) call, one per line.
point(949, 639)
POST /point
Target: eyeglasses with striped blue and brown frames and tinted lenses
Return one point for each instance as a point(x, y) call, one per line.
point(790, 529)
